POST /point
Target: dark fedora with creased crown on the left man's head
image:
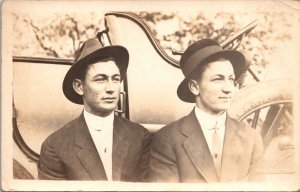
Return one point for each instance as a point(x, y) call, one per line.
point(90, 52)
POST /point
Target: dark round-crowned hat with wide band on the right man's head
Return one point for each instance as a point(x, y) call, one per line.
point(201, 53)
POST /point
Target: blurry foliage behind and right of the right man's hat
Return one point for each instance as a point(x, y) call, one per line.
point(257, 44)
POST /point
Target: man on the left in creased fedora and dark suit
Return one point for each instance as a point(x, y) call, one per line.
point(97, 145)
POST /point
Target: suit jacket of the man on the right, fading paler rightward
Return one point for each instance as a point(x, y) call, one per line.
point(179, 153)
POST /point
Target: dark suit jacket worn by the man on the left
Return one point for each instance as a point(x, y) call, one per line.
point(71, 154)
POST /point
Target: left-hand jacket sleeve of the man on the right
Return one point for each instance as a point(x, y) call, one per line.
point(162, 163)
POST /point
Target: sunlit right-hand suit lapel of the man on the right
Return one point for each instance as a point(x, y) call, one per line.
point(232, 149)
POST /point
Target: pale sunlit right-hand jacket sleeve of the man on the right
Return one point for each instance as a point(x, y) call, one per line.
point(256, 171)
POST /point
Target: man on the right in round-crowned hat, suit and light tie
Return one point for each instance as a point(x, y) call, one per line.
point(207, 145)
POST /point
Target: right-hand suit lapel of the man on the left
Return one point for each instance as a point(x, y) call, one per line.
point(120, 148)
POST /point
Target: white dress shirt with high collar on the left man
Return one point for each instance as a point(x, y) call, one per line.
point(101, 130)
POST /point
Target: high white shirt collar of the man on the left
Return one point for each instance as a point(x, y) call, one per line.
point(96, 122)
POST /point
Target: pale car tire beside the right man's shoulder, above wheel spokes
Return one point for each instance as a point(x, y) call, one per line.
point(260, 95)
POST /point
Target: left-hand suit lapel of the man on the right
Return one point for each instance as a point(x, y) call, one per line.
point(197, 148)
